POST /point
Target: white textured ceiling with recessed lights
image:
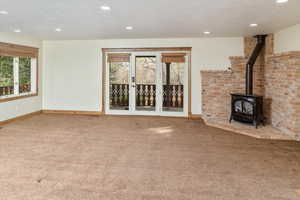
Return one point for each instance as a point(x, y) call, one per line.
point(83, 19)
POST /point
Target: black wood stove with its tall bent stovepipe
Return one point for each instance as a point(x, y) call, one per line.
point(248, 108)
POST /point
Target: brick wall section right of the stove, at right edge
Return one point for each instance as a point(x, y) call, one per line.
point(282, 89)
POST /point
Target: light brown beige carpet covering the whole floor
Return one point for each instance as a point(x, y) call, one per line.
point(63, 157)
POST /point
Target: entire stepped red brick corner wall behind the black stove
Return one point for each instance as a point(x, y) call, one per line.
point(277, 77)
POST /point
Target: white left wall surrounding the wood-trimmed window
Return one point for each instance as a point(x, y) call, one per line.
point(24, 106)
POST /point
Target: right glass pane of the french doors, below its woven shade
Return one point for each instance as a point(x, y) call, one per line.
point(173, 86)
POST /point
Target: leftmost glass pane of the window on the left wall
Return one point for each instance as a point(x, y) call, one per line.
point(6, 75)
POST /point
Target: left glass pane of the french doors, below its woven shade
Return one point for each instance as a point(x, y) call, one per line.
point(119, 85)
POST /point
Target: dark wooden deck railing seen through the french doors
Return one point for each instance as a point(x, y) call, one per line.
point(146, 95)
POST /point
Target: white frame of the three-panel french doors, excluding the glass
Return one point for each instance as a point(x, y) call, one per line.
point(158, 110)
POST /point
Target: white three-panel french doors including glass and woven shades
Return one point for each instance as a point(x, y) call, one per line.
point(146, 83)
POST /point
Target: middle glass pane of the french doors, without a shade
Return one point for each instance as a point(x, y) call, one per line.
point(145, 73)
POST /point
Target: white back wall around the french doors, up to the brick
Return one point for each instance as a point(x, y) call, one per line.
point(72, 69)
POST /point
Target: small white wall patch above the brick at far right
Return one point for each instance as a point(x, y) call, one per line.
point(287, 39)
